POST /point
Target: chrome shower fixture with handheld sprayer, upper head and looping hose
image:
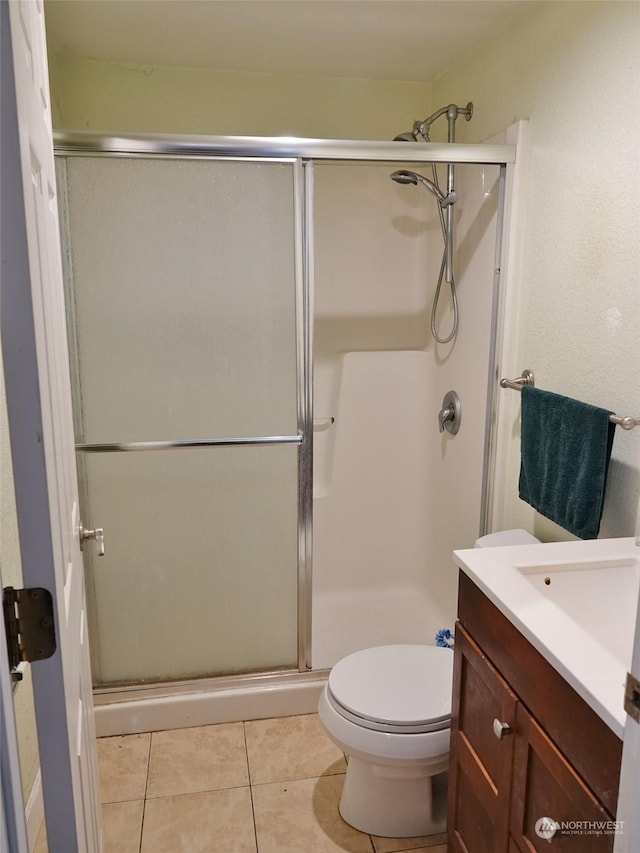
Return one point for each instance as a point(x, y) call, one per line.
point(445, 202)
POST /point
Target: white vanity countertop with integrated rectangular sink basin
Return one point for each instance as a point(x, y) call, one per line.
point(576, 602)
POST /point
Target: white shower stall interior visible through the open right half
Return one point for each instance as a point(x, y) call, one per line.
point(392, 495)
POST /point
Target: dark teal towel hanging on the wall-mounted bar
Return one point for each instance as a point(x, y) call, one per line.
point(565, 451)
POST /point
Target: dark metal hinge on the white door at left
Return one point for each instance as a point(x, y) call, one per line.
point(29, 625)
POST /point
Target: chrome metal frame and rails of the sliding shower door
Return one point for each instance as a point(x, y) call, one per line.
point(303, 153)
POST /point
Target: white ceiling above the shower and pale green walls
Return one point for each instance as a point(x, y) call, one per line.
point(411, 40)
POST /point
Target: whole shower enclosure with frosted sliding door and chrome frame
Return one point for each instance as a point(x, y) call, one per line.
point(201, 398)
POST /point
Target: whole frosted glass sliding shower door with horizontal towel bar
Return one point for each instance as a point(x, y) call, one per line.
point(184, 281)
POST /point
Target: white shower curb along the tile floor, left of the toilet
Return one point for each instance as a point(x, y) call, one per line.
point(207, 707)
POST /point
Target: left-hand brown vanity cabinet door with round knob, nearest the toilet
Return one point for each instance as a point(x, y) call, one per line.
point(480, 769)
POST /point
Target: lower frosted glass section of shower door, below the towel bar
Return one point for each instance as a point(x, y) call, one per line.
point(200, 571)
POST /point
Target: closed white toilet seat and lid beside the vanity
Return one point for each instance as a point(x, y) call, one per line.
point(401, 689)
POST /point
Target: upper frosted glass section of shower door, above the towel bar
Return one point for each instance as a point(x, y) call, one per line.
point(184, 297)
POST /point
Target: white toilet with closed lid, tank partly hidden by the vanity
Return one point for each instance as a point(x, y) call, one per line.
point(389, 709)
